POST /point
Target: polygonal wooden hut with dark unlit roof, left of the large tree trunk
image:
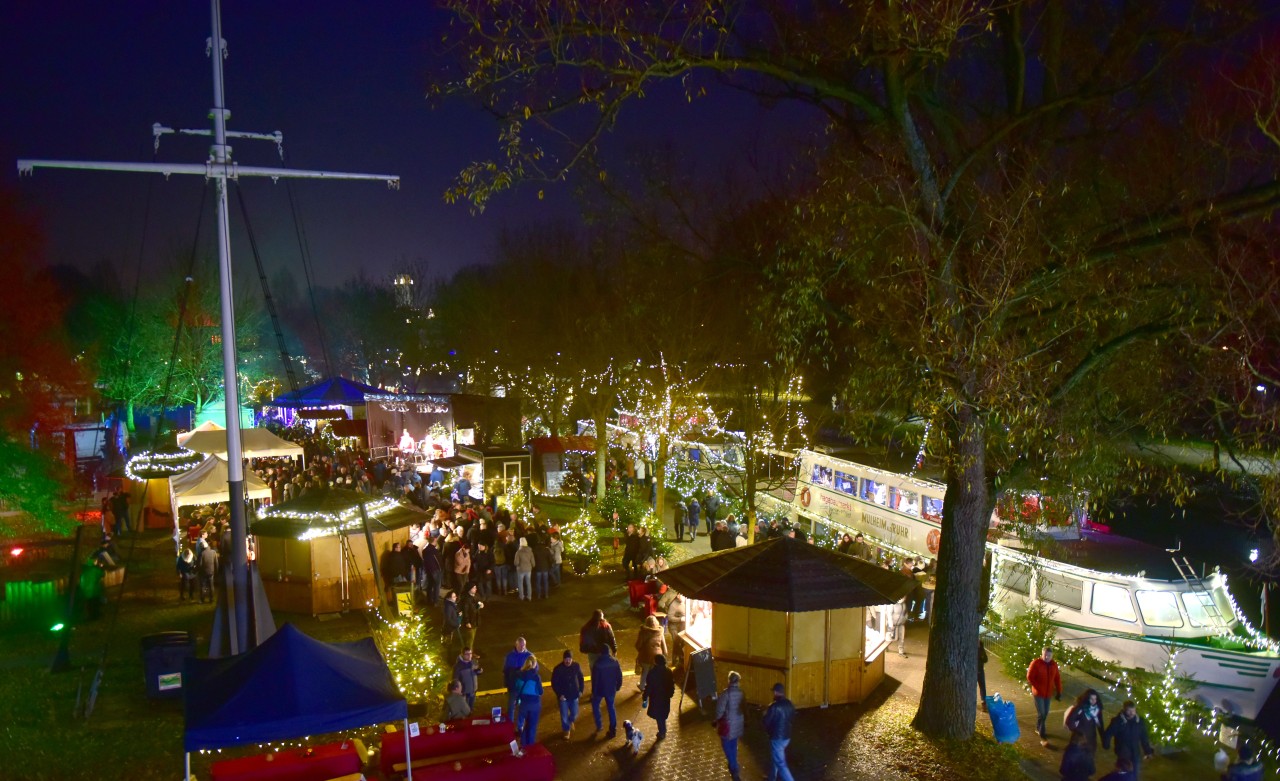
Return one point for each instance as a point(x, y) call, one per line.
point(794, 613)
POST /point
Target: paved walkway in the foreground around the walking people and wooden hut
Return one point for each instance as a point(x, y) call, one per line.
point(828, 743)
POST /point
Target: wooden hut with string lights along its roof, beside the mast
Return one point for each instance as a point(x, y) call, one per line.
point(313, 554)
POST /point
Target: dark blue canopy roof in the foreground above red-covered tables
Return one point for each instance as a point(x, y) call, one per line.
point(290, 687)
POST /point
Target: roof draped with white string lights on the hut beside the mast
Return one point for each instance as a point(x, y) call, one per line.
point(324, 511)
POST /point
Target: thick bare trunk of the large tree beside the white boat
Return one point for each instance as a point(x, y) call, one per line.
point(949, 695)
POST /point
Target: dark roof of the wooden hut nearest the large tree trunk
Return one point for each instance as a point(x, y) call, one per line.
point(788, 576)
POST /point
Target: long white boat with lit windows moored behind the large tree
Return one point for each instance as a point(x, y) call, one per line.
point(1122, 600)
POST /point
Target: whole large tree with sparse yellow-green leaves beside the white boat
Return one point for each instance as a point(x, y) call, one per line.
point(998, 243)
